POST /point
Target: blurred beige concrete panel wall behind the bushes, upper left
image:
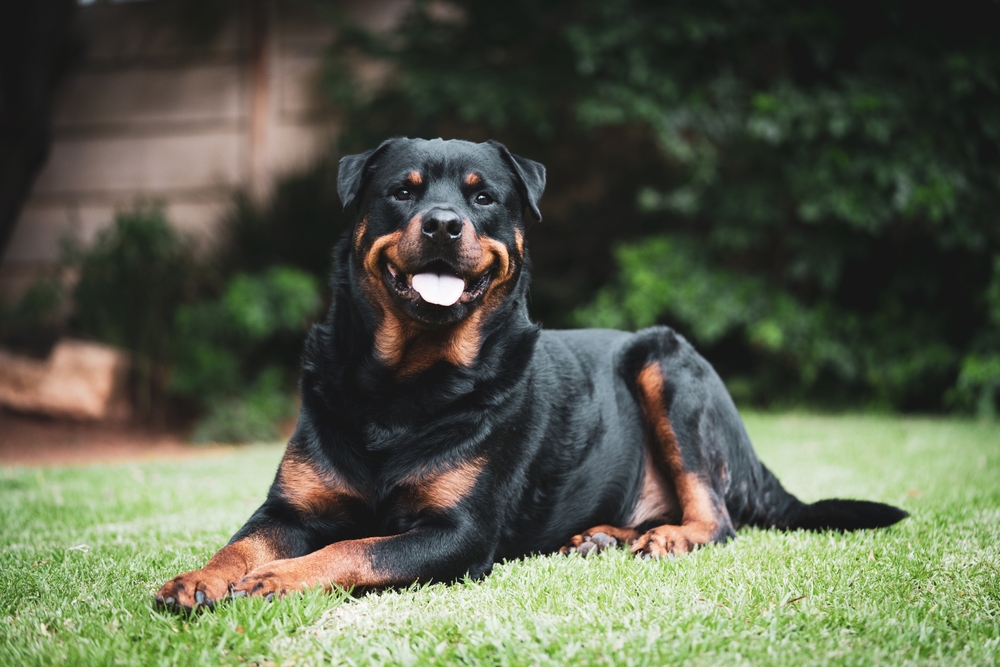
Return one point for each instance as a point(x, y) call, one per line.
point(148, 117)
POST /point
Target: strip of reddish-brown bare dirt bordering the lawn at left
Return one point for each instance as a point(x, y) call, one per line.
point(40, 442)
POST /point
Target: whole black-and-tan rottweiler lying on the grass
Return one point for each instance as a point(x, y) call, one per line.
point(442, 431)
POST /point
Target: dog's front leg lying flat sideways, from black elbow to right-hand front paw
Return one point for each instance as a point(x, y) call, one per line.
point(422, 554)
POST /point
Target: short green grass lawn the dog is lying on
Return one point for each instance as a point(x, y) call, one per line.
point(83, 549)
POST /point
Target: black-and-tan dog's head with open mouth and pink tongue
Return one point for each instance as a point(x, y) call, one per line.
point(439, 238)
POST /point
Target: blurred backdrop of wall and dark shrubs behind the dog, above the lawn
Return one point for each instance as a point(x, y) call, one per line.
point(810, 192)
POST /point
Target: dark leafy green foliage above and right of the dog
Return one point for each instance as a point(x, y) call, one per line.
point(822, 195)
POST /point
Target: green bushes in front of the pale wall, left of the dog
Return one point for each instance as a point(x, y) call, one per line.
point(138, 289)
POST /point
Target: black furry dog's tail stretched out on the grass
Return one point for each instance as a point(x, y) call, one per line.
point(786, 512)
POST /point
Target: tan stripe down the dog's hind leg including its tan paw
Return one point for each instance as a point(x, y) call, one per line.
point(699, 521)
